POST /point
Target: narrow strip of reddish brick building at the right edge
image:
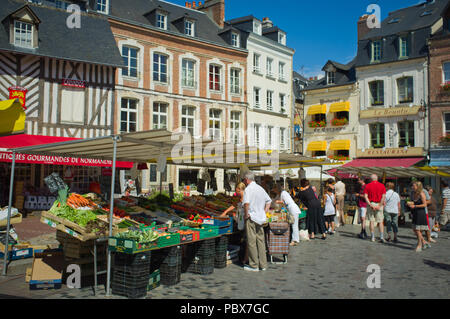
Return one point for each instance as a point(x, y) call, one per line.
point(439, 74)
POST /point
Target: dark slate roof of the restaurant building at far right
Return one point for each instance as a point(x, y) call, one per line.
point(401, 23)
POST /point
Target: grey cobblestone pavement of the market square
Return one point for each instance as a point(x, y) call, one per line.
point(335, 268)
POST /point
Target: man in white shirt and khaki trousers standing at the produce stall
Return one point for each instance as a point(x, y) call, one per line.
point(256, 204)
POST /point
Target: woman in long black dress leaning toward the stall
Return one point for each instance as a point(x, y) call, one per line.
point(314, 218)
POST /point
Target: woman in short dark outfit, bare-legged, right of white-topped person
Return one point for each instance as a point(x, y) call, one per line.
point(420, 222)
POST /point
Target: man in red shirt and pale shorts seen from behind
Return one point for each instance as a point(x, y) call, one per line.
point(375, 196)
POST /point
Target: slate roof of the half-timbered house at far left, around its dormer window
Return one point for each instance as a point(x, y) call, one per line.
point(93, 43)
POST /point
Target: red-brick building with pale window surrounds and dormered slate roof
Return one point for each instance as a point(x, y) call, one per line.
point(184, 71)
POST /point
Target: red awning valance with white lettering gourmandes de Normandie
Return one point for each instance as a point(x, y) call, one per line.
point(59, 160)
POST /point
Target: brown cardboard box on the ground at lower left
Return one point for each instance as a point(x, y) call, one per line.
point(47, 271)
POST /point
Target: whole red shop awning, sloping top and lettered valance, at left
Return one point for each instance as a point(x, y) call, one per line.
point(24, 140)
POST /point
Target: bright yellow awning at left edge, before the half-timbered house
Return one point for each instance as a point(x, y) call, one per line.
point(12, 116)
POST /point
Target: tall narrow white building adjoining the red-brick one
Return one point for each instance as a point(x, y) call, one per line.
point(269, 78)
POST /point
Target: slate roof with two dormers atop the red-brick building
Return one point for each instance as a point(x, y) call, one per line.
point(134, 11)
